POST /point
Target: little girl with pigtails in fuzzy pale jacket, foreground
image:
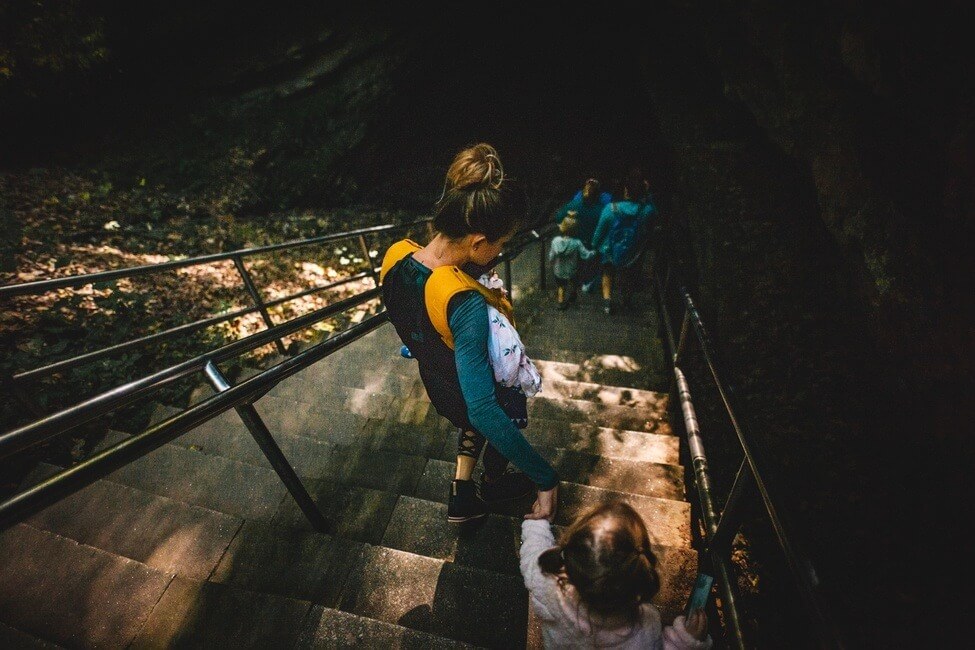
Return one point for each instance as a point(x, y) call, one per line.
point(593, 590)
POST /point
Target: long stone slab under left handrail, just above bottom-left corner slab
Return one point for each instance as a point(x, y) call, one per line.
point(164, 534)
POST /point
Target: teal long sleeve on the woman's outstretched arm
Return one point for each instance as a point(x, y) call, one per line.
point(468, 323)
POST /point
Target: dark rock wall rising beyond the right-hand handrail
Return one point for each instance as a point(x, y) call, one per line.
point(823, 205)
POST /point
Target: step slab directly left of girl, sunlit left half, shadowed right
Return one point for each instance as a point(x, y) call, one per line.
point(438, 597)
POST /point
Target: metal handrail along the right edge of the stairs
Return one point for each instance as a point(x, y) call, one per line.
point(720, 528)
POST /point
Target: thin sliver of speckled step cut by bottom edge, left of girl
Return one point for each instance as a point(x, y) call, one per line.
point(329, 628)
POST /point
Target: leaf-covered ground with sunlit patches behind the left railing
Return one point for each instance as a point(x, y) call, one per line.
point(60, 223)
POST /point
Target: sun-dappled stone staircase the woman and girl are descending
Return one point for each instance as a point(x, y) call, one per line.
point(199, 543)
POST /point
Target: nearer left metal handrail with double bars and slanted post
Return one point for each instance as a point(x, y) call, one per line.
point(239, 397)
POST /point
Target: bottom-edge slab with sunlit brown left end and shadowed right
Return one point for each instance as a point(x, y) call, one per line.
point(193, 614)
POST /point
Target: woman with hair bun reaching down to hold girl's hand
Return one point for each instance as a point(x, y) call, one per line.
point(476, 215)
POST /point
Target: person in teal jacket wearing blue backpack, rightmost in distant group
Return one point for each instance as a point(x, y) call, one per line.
point(633, 210)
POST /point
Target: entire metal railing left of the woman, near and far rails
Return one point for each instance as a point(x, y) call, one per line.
point(239, 397)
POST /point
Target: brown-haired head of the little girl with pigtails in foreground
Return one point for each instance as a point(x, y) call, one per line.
point(605, 554)
